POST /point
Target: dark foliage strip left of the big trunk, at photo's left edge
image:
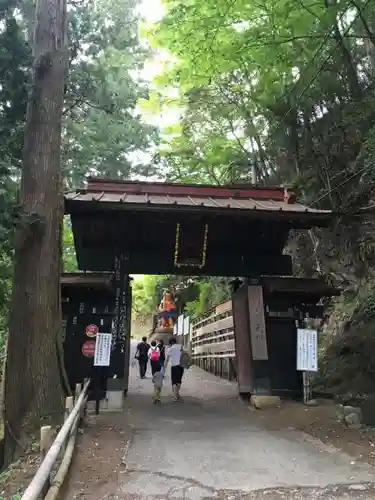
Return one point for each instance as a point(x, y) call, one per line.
point(14, 64)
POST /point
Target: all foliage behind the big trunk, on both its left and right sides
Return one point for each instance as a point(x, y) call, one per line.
point(102, 128)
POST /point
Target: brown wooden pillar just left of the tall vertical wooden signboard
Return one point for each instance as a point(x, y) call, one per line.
point(242, 340)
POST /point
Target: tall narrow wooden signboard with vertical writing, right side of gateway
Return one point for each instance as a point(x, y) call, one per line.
point(257, 323)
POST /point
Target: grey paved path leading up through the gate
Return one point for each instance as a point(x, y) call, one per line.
point(212, 446)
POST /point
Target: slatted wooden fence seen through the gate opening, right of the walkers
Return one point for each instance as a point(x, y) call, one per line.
point(212, 341)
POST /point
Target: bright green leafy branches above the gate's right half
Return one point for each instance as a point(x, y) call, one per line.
point(282, 88)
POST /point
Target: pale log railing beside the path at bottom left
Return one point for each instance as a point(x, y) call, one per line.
point(41, 486)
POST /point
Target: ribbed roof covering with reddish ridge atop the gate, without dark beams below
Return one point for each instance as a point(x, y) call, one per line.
point(108, 194)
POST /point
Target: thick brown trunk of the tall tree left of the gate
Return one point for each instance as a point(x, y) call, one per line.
point(32, 362)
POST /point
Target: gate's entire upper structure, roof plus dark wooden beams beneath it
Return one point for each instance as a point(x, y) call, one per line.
point(247, 226)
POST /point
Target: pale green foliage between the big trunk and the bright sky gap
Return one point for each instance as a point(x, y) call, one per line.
point(102, 127)
